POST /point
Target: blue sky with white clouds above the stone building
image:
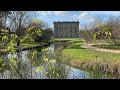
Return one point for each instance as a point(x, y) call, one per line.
point(84, 17)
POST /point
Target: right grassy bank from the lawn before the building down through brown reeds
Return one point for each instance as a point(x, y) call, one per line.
point(87, 59)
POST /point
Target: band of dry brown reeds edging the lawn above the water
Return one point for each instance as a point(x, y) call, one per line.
point(110, 67)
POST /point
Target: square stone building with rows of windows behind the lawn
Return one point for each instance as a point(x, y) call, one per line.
point(66, 29)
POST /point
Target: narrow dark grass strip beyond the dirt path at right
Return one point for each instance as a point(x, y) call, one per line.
point(110, 46)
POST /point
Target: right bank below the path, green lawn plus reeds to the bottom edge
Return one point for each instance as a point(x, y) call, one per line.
point(92, 61)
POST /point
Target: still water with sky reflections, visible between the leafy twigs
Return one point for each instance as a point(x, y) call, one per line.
point(27, 60)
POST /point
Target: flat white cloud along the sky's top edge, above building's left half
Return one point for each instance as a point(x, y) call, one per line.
point(57, 13)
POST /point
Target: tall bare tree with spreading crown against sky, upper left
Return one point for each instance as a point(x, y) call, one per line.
point(18, 21)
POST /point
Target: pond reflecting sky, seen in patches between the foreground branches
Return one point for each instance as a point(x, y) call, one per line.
point(29, 72)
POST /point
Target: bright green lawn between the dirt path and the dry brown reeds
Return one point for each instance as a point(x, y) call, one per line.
point(78, 53)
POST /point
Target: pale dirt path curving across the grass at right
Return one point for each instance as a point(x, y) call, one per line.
point(99, 49)
